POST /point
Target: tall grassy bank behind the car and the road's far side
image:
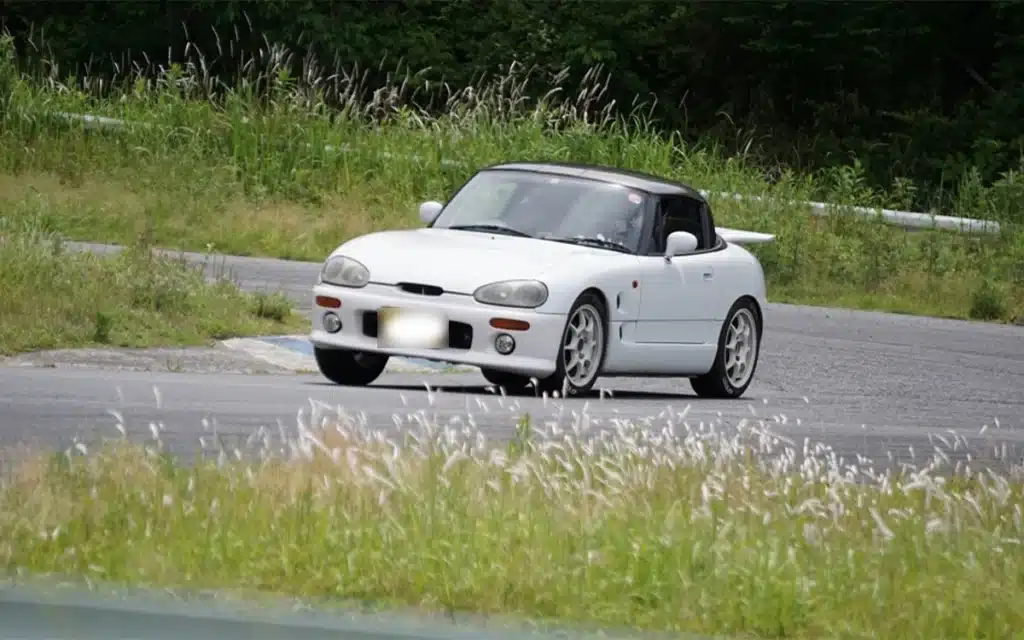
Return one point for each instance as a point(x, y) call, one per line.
point(255, 169)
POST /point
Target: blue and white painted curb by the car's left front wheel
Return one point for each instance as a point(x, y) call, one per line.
point(295, 354)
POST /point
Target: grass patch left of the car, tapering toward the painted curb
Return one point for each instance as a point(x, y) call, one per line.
point(55, 298)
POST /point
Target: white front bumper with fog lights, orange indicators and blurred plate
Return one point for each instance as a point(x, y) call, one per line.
point(472, 339)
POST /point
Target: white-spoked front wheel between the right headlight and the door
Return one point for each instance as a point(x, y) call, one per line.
point(581, 353)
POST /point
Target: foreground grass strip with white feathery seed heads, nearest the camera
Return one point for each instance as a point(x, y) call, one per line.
point(665, 526)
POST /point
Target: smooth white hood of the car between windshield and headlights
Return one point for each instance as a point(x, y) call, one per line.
point(457, 262)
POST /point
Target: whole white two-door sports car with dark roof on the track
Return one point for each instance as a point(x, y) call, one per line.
point(550, 274)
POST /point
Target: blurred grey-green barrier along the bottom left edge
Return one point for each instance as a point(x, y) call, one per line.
point(52, 612)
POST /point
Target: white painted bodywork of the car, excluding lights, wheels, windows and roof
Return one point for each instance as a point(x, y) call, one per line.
point(664, 318)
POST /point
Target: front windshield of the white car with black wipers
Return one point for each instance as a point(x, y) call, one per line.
point(548, 207)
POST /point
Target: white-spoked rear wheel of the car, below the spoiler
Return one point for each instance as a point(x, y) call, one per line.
point(739, 349)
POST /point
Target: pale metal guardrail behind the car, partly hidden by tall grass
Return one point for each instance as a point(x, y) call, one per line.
point(905, 220)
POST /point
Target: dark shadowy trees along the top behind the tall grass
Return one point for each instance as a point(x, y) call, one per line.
point(924, 93)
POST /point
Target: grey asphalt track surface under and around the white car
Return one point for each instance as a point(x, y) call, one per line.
point(864, 382)
